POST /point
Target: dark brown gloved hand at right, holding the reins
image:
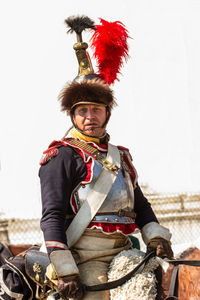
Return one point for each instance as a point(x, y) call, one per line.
point(161, 247)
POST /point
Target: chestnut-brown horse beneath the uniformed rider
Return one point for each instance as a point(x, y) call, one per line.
point(188, 280)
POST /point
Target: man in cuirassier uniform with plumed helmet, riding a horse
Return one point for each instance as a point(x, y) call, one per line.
point(90, 193)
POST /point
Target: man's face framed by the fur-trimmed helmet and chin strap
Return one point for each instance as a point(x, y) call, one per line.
point(90, 118)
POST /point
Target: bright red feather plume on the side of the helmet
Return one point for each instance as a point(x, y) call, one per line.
point(110, 46)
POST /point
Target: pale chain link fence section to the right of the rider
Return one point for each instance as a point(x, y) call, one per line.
point(180, 213)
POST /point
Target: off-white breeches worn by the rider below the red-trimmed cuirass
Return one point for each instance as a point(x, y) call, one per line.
point(93, 254)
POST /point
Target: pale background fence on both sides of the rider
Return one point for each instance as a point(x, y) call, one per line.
point(178, 212)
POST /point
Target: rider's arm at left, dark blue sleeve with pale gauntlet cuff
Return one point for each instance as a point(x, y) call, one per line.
point(59, 177)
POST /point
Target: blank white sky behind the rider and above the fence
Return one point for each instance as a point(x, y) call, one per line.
point(158, 93)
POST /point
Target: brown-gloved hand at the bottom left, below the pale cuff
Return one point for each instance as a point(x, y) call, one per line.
point(70, 287)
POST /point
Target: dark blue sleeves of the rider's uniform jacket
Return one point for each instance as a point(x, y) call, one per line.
point(59, 177)
